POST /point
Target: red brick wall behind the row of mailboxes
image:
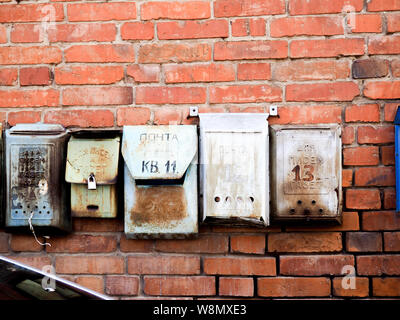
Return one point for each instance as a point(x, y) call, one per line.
point(115, 63)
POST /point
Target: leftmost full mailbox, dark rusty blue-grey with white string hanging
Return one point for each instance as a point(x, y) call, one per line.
point(35, 189)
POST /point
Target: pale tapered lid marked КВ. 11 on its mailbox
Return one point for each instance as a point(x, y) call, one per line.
point(159, 152)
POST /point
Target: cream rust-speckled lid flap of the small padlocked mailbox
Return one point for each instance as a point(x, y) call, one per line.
point(97, 156)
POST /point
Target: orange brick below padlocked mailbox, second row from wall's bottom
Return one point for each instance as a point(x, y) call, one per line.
point(89, 264)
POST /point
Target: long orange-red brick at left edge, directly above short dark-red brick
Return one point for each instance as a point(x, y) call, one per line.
point(30, 55)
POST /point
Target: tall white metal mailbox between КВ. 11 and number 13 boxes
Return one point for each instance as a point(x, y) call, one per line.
point(234, 168)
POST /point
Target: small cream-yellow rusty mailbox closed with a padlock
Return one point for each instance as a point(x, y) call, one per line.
point(92, 170)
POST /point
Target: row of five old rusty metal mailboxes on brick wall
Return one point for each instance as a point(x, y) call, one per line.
point(246, 170)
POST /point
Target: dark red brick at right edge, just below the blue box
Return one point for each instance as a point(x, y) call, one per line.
point(380, 220)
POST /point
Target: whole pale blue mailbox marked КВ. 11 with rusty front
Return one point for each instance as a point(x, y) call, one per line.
point(160, 181)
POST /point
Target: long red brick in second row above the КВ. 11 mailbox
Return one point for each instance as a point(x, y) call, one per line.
point(175, 95)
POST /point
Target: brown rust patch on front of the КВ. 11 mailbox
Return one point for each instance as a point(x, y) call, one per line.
point(159, 205)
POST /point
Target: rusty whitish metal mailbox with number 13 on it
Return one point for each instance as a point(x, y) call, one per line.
point(306, 179)
